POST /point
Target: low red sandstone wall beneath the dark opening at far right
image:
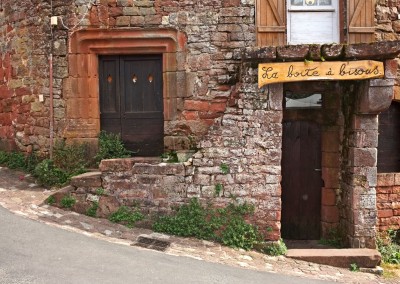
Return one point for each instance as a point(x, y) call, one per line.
point(388, 201)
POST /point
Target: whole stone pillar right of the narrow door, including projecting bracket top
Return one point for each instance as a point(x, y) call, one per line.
point(360, 172)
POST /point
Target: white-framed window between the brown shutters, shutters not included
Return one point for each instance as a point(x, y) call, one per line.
point(312, 21)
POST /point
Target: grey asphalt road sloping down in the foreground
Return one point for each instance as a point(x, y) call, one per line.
point(33, 252)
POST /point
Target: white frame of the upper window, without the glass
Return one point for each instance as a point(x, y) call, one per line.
point(334, 8)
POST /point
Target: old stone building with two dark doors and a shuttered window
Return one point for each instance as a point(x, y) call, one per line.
point(306, 154)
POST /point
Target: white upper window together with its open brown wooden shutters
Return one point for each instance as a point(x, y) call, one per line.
point(314, 21)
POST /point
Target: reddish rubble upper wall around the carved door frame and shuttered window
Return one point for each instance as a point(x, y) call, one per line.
point(215, 30)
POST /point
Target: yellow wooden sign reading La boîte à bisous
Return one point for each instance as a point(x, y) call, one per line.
point(269, 73)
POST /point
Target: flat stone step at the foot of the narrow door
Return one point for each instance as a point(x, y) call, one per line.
point(366, 258)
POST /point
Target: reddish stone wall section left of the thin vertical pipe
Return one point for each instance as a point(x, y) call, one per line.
point(24, 72)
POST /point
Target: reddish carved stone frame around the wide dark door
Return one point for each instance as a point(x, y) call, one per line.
point(81, 88)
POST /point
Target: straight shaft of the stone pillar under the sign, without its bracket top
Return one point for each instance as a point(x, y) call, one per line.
point(360, 181)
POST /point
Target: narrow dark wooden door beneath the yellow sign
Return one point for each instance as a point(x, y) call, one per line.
point(301, 180)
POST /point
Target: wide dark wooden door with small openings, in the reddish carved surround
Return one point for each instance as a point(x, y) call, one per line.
point(131, 101)
